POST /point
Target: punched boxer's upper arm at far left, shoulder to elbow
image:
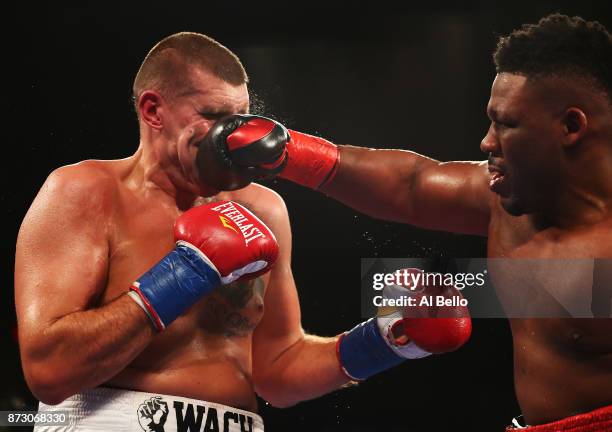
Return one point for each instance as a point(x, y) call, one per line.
point(62, 250)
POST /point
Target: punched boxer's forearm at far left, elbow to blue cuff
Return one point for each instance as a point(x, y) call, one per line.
point(84, 349)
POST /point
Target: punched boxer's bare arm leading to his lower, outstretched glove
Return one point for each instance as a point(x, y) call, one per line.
point(288, 365)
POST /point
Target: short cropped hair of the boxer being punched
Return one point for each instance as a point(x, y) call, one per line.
point(165, 67)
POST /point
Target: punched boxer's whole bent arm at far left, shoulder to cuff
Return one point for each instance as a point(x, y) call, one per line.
point(67, 342)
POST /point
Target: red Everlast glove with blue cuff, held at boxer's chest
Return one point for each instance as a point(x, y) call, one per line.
point(216, 244)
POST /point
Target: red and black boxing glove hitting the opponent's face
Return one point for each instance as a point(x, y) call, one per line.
point(242, 148)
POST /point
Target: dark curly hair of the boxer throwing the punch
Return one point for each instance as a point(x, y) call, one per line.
point(559, 45)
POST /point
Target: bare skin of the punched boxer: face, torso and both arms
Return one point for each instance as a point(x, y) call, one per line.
point(96, 226)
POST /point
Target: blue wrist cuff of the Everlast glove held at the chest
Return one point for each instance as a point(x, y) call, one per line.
point(175, 283)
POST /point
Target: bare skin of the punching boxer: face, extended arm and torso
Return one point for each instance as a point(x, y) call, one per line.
point(538, 201)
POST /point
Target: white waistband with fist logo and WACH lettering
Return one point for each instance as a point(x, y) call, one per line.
point(107, 409)
